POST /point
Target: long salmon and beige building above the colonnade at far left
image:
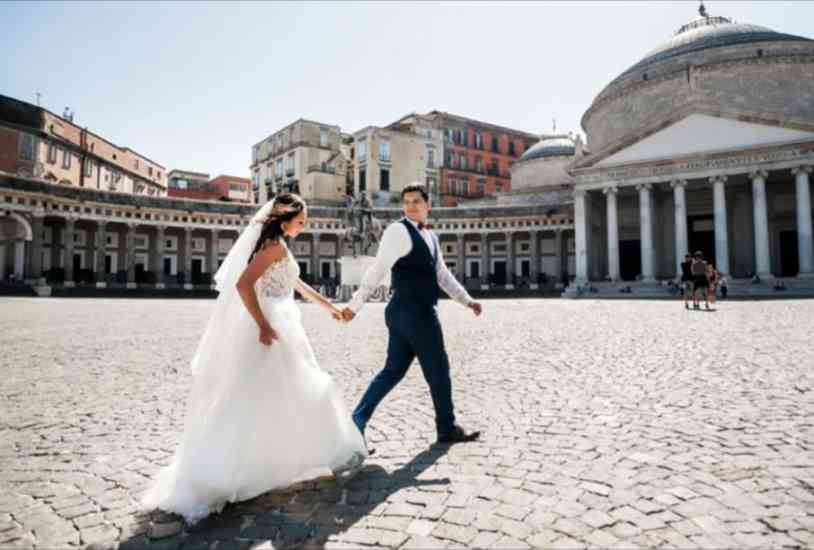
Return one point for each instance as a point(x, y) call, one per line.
point(35, 142)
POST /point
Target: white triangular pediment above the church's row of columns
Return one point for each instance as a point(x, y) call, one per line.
point(702, 134)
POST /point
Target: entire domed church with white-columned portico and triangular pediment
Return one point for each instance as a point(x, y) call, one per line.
point(706, 144)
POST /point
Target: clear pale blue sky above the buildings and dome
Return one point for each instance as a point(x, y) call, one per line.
point(194, 86)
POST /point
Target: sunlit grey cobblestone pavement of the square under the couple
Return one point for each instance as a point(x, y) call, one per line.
point(615, 424)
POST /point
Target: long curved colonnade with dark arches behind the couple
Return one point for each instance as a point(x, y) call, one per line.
point(56, 237)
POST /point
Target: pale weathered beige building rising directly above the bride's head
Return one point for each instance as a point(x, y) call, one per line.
point(305, 157)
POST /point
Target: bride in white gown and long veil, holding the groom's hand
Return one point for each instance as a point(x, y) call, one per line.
point(261, 414)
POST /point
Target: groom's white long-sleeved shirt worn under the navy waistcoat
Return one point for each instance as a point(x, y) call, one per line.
point(395, 244)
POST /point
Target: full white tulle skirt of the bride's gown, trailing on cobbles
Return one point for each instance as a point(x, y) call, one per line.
point(258, 418)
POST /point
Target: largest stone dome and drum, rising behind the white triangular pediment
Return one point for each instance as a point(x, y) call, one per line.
point(713, 65)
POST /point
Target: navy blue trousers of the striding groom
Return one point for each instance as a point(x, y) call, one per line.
point(415, 332)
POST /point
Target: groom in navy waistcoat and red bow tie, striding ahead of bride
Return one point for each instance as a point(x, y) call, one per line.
point(413, 255)
